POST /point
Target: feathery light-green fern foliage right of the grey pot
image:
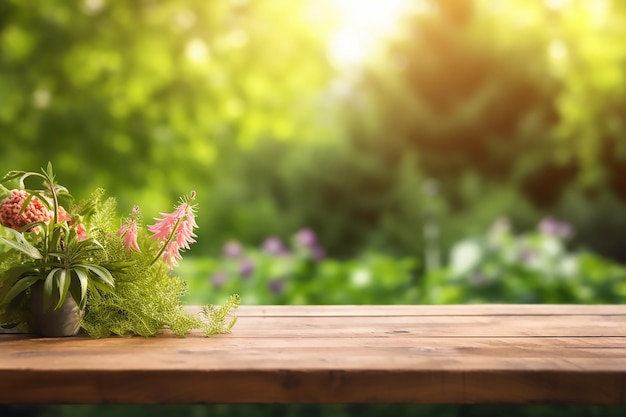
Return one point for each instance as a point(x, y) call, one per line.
point(147, 297)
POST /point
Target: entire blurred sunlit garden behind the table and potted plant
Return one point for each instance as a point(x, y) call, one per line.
point(344, 151)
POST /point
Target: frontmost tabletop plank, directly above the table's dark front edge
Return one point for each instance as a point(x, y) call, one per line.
point(397, 353)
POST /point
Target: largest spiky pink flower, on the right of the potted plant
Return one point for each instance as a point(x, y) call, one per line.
point(175, 230)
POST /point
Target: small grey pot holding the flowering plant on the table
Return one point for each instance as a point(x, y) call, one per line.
point(65, 321)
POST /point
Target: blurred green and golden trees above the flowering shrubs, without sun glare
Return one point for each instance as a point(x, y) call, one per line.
point(504, 106)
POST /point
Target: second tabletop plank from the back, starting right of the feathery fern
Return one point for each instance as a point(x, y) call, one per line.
point(433, 326)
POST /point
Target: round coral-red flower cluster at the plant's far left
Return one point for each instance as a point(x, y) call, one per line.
point(10, 211)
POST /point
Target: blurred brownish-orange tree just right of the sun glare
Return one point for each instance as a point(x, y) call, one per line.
point(471, 105)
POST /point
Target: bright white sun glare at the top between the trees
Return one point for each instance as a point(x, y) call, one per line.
point(362, 26)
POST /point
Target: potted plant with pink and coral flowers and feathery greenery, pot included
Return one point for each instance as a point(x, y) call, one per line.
point(68, 265)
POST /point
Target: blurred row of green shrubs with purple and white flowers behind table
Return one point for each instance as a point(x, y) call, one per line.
point(498, 266)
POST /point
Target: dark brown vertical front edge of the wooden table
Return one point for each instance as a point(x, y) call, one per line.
point(324, 387)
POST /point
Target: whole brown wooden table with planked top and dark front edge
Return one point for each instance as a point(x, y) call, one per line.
point(514, 354)
